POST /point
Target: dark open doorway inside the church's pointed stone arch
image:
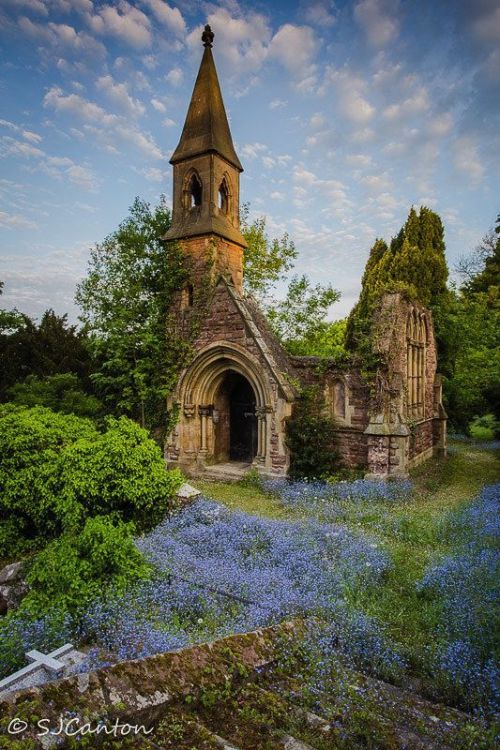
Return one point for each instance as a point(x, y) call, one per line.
point(235, 421)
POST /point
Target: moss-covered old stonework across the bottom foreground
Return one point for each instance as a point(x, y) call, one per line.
point(243, 692)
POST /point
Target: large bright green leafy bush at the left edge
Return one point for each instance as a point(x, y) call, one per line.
point(56, 470)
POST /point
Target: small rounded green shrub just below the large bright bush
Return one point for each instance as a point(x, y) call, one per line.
point(75, 569)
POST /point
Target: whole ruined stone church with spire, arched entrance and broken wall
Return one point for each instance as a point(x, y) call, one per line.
point(238, 391)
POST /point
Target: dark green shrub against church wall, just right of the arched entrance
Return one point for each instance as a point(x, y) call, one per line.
point(310, 436)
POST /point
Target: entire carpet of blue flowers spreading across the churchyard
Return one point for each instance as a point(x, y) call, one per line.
point(217, 571)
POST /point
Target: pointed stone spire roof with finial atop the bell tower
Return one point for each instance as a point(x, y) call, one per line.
point(206, 128)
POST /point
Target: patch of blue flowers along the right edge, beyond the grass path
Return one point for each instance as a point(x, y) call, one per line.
point(466, 585)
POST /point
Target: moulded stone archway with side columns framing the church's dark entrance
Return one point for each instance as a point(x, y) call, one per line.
point(226, 406)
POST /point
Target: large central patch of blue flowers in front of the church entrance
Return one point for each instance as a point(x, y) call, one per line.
point(221, 572)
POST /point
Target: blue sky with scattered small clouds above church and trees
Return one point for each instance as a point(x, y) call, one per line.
point(344, 114)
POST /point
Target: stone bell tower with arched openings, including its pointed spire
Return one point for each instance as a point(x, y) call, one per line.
point(206, 190)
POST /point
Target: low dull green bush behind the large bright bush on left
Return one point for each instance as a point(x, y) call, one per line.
point(62, 392)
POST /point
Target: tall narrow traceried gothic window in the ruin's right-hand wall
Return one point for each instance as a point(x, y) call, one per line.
point(416, 334)
